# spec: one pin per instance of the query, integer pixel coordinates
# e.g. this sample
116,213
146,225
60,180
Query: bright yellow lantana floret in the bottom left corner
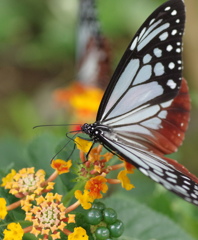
14,231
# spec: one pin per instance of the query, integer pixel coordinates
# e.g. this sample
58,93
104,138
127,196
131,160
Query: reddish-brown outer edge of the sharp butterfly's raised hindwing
172,132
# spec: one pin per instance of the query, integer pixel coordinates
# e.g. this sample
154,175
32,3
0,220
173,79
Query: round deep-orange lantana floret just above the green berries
96,185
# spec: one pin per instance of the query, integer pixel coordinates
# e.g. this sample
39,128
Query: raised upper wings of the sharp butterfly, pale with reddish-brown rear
139,101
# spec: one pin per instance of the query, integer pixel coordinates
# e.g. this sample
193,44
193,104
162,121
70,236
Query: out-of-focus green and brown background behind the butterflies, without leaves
37,55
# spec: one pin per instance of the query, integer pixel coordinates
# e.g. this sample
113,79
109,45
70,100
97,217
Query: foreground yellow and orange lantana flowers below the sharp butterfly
45,211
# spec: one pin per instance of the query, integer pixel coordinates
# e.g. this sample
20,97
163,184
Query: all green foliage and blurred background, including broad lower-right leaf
37,55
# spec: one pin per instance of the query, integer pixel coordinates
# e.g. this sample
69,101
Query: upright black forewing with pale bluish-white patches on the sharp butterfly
150,69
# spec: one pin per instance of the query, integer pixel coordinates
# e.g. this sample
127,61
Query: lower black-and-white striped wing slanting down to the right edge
172,175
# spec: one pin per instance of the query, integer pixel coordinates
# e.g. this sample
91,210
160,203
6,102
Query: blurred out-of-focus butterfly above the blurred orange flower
93,53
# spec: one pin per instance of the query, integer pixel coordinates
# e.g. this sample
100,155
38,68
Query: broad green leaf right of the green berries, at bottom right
142,223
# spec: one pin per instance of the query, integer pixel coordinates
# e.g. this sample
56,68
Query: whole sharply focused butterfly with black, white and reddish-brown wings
144,112
